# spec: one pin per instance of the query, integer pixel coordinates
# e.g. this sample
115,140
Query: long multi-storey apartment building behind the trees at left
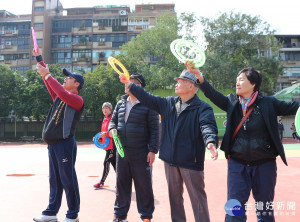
76,38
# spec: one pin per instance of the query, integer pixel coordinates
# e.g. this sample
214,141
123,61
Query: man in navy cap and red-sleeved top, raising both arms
58,133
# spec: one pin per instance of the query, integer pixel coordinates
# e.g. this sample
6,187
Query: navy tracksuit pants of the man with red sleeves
62,176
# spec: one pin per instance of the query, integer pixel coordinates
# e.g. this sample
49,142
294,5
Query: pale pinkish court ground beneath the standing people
21,198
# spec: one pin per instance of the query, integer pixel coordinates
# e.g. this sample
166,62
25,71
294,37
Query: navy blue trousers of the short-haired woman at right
261,179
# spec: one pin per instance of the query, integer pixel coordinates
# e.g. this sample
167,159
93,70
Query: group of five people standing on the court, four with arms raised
251,143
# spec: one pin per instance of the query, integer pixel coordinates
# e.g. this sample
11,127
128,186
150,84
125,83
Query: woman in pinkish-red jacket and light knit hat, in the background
110,157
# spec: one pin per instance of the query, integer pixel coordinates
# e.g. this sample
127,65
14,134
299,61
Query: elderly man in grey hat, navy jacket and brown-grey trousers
188,126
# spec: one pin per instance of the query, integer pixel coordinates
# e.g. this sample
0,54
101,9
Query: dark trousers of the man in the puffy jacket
134,167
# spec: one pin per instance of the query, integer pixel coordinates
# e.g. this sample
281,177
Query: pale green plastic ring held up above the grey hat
185,50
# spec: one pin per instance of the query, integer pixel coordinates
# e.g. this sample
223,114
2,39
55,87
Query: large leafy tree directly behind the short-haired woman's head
236,41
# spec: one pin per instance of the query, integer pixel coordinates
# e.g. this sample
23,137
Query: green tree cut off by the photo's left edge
7,93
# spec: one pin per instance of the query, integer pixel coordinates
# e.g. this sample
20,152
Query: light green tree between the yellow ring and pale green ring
152,47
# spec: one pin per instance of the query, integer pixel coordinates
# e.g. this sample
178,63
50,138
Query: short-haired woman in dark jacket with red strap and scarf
251,151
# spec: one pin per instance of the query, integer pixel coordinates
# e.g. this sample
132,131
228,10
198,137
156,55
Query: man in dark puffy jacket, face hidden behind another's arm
137,127
